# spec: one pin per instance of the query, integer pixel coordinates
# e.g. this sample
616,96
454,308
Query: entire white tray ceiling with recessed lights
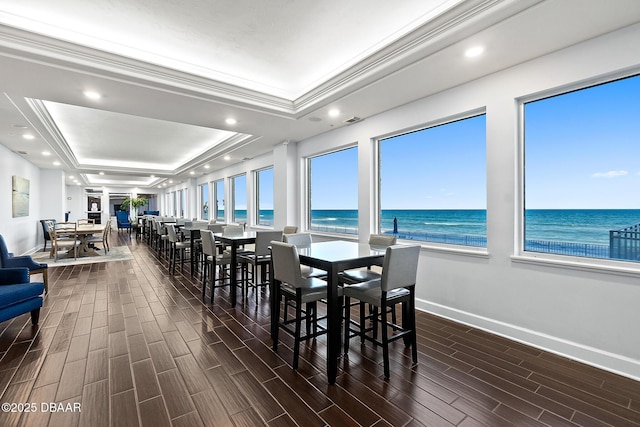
171,72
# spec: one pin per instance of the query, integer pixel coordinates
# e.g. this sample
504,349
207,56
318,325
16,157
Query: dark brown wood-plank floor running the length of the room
134,346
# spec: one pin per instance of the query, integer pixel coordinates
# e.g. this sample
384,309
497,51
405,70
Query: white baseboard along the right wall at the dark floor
612,362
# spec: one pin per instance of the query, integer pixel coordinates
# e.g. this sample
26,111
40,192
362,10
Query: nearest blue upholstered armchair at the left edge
18,295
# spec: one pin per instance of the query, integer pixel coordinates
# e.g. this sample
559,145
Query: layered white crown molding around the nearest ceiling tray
449,27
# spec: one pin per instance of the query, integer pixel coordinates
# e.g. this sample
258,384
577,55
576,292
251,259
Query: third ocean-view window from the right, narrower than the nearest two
333,195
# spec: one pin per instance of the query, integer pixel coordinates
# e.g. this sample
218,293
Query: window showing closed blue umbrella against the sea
433,183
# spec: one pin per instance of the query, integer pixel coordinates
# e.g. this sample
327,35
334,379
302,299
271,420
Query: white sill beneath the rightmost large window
581,264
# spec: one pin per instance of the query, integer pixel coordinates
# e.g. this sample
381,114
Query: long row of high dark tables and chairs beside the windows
302,283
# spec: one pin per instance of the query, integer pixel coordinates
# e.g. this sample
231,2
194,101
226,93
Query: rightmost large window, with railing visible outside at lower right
581,172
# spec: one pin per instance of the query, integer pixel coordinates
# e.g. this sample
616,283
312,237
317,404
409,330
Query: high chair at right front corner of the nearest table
395,286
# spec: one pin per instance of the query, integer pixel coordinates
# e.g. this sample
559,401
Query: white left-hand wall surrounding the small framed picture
21,234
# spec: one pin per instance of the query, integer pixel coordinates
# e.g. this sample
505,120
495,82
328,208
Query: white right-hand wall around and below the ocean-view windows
589,313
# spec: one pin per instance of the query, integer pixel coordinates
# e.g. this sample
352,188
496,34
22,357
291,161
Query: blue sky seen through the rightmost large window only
582,149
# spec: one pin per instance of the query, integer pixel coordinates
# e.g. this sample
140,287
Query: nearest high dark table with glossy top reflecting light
333,257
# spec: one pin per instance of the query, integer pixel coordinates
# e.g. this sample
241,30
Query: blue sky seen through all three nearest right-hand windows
582,151
